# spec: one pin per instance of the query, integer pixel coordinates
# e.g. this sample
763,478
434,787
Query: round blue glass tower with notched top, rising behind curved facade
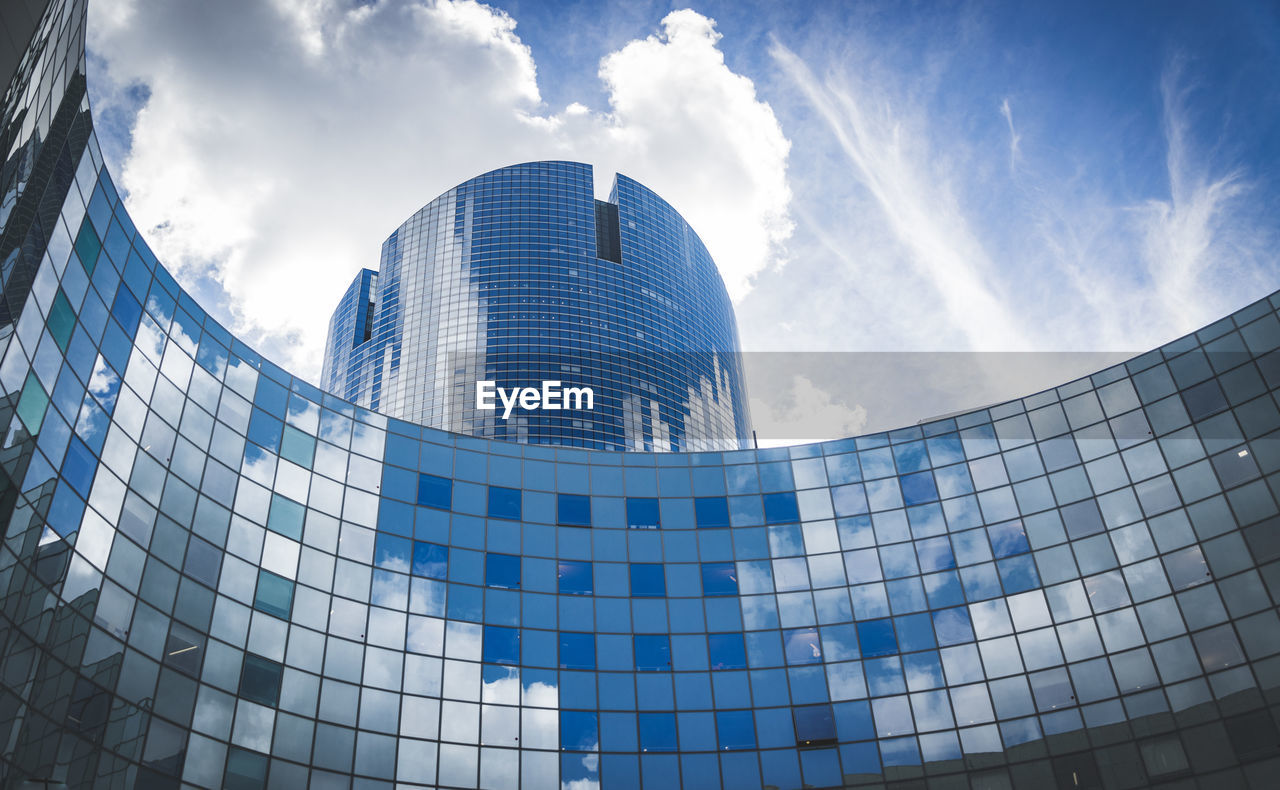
522,277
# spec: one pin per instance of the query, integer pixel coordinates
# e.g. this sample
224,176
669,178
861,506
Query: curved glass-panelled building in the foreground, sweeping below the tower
216,576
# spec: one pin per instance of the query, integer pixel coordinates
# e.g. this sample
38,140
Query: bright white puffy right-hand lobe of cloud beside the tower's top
700,131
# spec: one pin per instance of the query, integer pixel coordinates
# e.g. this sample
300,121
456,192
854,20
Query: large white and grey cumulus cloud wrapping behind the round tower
277,145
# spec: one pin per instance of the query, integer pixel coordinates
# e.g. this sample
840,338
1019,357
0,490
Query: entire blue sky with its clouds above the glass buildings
871,176
